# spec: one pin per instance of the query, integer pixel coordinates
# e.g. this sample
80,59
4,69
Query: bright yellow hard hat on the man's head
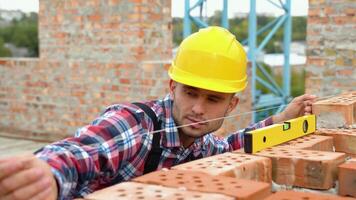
211,59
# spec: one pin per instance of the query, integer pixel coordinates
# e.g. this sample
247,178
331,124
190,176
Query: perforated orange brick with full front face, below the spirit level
304,168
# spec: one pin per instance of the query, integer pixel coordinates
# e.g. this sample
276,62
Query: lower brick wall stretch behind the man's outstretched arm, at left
49,99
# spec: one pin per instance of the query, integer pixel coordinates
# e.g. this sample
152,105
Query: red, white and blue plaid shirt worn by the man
115,146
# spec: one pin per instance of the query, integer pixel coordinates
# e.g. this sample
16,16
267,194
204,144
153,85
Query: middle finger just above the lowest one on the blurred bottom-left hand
19,180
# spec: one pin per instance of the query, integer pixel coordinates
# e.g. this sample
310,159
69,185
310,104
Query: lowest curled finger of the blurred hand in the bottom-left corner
37,190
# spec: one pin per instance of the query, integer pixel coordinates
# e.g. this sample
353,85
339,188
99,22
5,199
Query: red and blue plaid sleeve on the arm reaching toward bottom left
92,158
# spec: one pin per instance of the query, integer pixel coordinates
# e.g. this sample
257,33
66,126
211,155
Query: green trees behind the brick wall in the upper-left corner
22,33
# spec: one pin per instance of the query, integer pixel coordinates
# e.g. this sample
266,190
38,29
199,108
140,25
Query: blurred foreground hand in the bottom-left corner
26,177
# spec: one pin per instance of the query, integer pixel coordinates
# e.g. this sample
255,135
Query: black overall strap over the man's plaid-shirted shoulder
154,155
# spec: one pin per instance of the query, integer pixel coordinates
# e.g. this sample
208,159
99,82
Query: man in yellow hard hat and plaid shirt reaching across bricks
128,140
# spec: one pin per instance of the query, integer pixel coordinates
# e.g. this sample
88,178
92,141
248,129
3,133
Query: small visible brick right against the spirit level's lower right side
311,142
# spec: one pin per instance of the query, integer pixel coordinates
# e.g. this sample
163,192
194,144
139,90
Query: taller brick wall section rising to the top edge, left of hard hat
109,31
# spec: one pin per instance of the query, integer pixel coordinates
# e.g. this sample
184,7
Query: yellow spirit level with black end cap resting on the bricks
269,136
